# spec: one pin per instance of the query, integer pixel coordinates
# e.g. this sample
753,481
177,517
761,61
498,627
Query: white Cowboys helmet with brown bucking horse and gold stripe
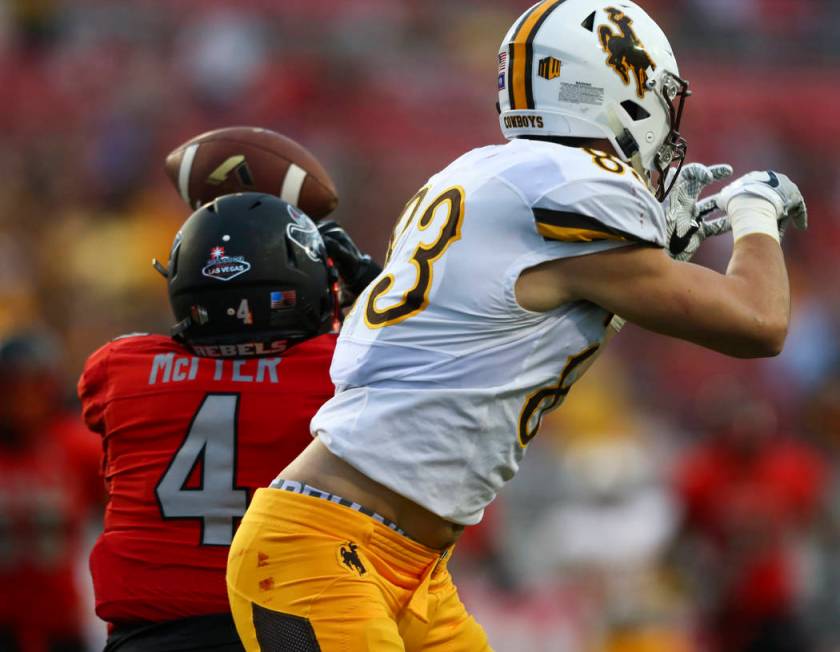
595,69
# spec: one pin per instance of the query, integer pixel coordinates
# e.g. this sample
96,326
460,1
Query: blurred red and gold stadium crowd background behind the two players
680,501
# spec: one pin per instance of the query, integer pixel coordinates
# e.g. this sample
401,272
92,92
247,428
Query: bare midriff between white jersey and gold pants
318,467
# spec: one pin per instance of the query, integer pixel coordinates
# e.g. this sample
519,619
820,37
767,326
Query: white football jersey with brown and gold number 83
441,376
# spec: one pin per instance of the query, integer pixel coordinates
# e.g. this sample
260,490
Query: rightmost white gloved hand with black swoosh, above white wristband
776,188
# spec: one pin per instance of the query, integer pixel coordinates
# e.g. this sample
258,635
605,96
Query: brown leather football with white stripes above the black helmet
250,159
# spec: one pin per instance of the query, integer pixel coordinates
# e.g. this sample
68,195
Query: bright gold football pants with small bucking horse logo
306,574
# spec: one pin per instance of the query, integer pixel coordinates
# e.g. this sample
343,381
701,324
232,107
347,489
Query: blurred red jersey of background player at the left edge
48,492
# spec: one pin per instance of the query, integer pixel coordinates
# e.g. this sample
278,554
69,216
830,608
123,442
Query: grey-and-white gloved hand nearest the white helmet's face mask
684,221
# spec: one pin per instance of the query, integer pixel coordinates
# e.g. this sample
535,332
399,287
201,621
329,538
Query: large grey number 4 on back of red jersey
210,442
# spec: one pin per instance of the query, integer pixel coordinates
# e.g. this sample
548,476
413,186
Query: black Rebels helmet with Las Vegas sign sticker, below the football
248,275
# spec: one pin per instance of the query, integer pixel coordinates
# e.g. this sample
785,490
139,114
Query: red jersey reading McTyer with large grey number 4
187,441
